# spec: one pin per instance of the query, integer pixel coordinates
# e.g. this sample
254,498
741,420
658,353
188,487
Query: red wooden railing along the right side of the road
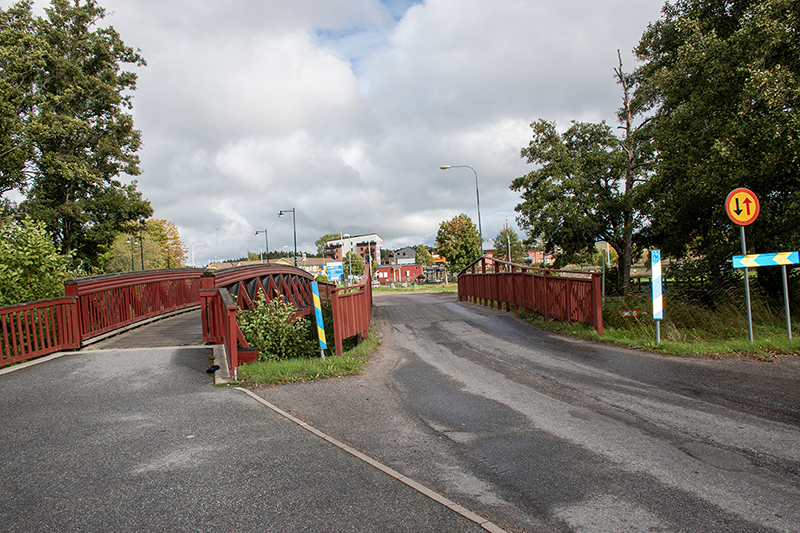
567,295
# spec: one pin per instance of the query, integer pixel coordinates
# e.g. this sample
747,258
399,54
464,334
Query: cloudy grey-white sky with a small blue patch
345,109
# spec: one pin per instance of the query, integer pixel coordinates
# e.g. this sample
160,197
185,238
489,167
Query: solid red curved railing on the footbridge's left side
113,301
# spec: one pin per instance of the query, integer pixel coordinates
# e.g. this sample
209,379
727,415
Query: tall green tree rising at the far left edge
71,131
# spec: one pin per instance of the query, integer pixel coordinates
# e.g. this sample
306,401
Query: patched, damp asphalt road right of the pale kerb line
541,433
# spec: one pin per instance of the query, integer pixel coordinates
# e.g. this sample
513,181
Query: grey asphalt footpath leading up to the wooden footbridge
140,440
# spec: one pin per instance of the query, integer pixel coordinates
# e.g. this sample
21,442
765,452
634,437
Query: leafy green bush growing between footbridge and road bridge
275,331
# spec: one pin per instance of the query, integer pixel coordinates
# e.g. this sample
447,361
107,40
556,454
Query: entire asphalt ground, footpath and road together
531,431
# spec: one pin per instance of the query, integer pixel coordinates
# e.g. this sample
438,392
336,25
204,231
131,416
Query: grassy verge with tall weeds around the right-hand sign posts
690,328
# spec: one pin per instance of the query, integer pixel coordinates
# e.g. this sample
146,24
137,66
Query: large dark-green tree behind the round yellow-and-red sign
722,79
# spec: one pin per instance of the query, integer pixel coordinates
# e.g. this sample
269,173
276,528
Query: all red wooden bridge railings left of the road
98,306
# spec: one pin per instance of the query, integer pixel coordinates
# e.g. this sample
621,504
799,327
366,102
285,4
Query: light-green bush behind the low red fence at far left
30,266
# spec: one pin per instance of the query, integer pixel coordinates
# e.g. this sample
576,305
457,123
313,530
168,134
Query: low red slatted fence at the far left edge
38,328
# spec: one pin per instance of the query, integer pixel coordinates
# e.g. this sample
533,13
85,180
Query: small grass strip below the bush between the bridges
303,369
